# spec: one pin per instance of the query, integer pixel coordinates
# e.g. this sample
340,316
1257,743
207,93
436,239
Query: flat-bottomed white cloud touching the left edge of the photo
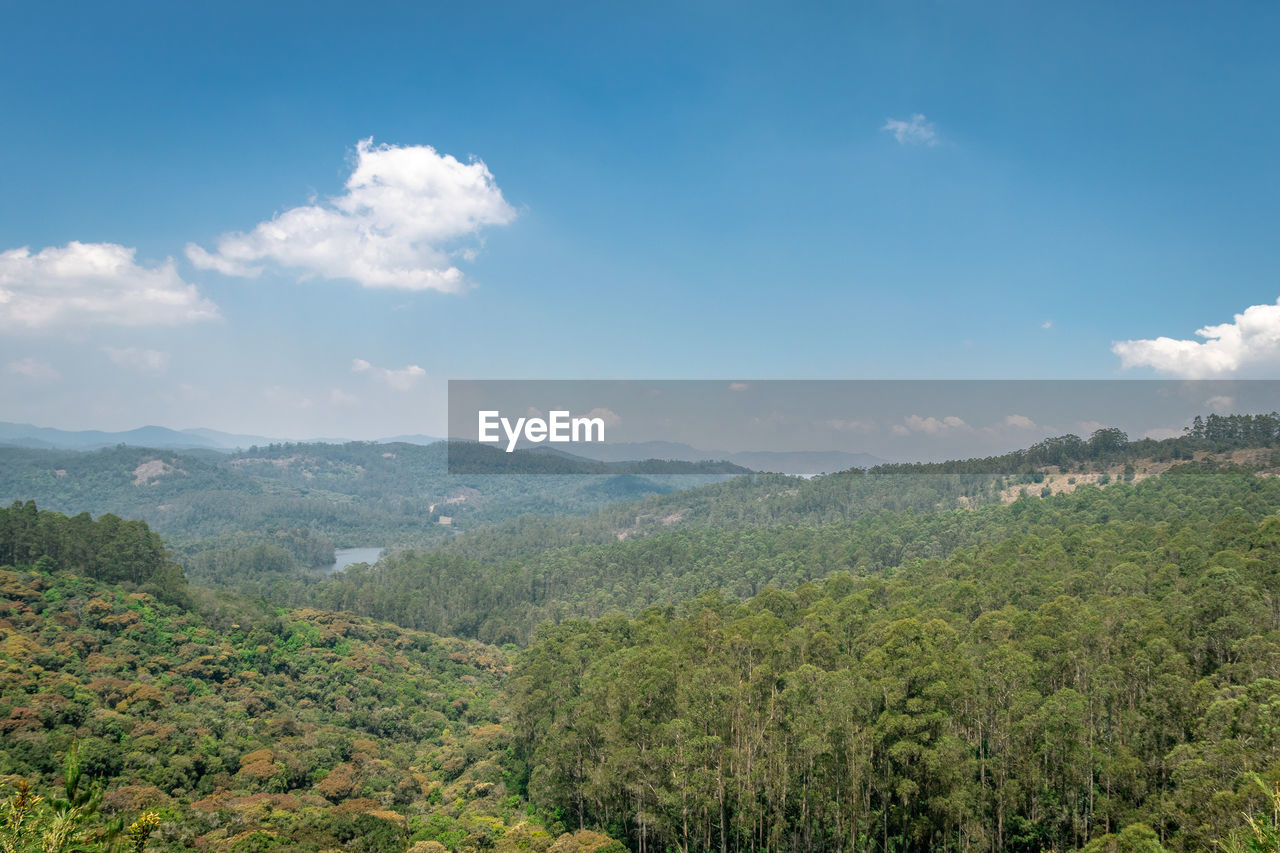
93,285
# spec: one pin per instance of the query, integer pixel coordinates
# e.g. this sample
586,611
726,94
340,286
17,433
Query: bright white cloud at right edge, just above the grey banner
1251,339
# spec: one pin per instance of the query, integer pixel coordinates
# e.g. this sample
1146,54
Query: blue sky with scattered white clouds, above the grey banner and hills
304,220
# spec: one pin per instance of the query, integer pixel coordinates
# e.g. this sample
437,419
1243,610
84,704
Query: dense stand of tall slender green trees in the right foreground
1114,659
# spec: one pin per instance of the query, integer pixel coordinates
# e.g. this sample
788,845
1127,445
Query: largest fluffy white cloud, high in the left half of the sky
399,225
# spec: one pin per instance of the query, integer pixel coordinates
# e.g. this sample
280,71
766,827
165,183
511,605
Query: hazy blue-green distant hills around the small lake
281,510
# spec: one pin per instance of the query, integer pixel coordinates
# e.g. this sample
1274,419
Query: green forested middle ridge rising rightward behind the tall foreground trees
502,599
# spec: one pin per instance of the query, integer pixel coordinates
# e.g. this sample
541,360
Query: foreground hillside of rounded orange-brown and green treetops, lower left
240,728
